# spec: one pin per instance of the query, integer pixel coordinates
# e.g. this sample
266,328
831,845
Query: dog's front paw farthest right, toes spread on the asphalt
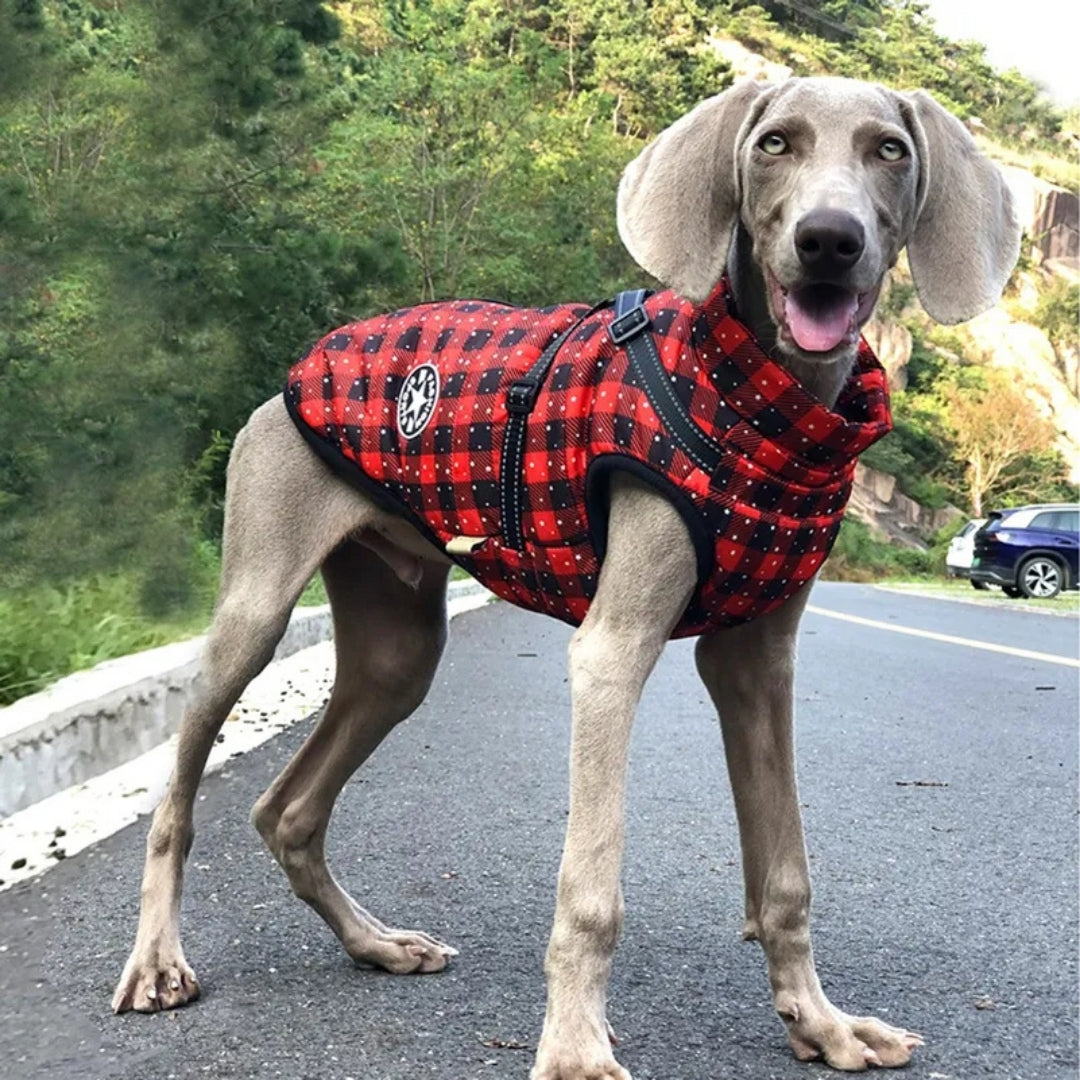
852,1044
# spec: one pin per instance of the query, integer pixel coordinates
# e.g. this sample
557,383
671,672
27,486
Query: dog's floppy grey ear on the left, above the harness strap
679,199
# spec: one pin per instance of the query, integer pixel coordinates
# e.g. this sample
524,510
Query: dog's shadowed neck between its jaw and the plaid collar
825,380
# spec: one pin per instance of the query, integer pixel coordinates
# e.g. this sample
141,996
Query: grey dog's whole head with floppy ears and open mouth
830,179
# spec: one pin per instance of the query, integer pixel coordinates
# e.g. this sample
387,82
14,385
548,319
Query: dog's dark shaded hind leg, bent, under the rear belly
388,639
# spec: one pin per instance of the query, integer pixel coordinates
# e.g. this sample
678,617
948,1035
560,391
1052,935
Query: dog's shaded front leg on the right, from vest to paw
750,674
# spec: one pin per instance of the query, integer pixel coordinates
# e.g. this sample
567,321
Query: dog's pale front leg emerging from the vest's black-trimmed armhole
647,579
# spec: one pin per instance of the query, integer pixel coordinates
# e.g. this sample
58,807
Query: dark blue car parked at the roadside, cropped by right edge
1030,551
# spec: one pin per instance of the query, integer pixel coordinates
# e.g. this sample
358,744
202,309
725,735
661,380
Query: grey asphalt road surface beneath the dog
948,906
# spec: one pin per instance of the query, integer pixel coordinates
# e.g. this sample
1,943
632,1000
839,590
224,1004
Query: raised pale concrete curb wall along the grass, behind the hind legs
94,721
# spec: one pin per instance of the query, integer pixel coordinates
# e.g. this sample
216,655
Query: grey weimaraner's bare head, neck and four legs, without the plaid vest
781,187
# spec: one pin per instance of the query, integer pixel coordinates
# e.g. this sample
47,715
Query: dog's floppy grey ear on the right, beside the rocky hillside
966,238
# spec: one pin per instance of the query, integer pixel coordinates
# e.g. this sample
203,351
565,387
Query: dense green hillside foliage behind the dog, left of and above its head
191,193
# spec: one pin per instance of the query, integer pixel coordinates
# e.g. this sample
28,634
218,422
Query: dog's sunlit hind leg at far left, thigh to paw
285,514
